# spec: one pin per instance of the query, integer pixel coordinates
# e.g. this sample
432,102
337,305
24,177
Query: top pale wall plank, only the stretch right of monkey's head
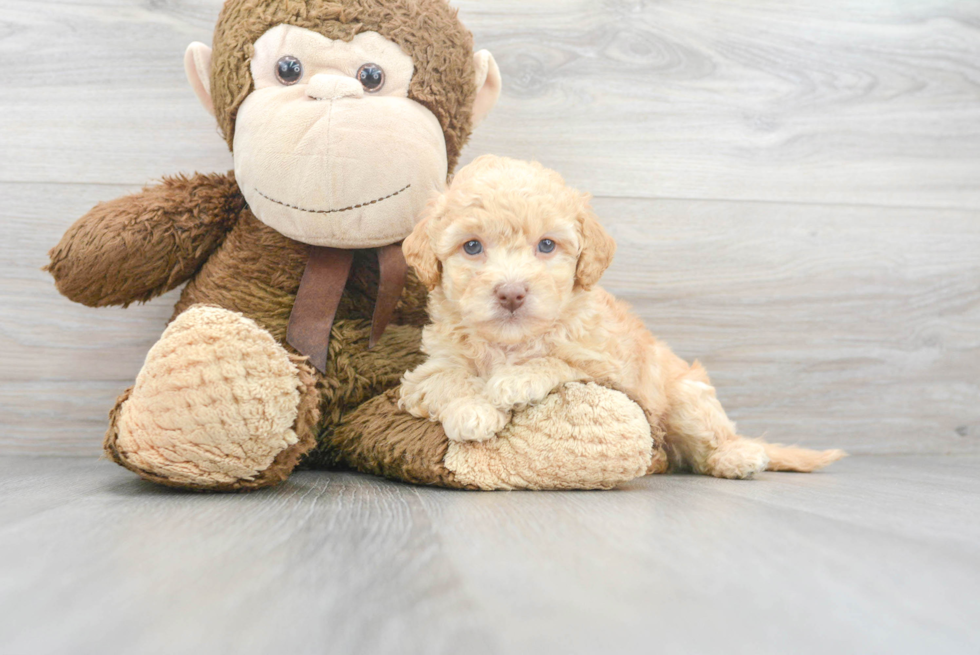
846,101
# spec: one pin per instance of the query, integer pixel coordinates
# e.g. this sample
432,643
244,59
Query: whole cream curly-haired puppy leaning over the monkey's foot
511,257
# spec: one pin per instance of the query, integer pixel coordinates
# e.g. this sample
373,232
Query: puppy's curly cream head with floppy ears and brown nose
506,246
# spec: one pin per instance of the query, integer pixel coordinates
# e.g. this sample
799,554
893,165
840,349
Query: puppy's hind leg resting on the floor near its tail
701,436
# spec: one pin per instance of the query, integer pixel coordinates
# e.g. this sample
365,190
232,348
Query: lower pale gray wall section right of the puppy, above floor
820,325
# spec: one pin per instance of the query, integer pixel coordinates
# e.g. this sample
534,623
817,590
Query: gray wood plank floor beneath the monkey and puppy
876,555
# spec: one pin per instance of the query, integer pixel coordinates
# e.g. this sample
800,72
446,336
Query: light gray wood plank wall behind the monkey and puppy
794,186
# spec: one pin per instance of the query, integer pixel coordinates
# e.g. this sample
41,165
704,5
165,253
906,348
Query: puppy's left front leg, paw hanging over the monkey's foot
453,396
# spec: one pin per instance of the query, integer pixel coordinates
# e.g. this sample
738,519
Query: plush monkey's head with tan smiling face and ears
343,116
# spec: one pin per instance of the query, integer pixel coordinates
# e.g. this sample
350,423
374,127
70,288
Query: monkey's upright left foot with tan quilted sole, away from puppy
219,405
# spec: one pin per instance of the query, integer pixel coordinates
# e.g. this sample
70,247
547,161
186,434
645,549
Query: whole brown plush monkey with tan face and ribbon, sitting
343,118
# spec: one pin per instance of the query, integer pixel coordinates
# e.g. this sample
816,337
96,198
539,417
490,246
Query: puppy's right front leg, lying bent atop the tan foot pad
515,386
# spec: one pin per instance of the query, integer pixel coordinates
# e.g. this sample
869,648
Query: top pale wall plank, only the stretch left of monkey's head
99,93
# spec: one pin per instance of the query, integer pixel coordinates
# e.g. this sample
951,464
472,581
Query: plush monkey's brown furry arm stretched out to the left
140,246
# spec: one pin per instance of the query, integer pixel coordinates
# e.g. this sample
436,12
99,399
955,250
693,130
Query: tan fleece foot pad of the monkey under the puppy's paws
582,436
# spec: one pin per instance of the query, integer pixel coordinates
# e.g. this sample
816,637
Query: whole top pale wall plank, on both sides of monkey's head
847,101
